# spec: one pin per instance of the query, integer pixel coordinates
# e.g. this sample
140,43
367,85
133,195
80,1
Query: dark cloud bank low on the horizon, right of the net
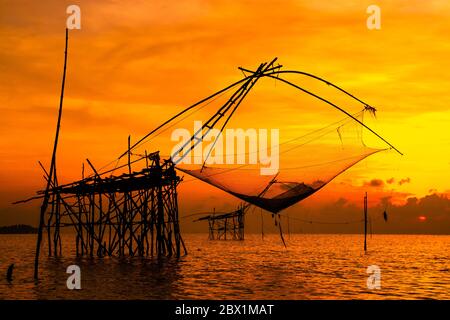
344,216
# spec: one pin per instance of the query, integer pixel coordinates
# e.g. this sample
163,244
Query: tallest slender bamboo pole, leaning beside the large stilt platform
52,165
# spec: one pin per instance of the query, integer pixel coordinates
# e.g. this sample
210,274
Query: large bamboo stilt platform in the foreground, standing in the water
133,214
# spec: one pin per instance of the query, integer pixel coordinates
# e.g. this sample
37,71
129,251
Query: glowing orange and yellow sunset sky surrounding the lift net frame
133,65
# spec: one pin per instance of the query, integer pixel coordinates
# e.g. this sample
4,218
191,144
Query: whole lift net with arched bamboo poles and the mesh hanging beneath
286,145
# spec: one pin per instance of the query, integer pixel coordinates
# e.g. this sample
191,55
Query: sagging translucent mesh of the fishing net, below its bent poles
306,164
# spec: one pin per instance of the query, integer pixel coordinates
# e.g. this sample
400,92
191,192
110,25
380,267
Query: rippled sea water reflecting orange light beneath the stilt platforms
311,267
